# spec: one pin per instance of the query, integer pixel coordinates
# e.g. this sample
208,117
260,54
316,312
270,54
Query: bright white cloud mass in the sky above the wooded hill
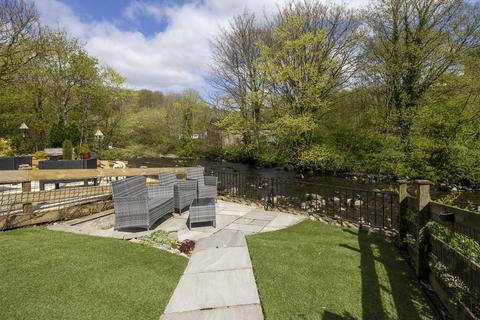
170,60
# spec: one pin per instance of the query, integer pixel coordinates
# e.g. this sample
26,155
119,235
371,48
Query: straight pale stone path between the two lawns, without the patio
218,282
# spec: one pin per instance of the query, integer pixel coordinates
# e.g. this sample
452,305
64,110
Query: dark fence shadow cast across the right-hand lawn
375,251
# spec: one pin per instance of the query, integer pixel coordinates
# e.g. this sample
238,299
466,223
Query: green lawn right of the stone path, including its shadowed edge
318,271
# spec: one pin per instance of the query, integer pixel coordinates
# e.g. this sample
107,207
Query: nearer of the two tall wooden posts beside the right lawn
423,215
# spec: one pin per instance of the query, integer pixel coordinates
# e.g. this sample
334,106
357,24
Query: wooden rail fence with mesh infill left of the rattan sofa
29,206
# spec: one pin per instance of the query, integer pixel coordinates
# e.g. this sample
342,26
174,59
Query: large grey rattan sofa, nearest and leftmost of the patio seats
137,206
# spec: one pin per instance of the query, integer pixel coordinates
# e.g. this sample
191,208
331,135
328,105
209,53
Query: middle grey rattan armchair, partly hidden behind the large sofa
184,190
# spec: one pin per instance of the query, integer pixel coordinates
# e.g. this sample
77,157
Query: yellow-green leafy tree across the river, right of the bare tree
296,83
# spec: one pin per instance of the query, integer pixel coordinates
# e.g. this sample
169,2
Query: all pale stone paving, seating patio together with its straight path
218,282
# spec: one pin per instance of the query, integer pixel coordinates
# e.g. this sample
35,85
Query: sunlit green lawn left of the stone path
55,275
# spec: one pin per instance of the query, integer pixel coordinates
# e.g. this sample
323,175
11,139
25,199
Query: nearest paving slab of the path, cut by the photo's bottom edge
247,312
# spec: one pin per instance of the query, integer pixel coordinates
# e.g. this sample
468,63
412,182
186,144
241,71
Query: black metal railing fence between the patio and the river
374,208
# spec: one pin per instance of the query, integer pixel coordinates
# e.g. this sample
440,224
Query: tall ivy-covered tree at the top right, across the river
411,45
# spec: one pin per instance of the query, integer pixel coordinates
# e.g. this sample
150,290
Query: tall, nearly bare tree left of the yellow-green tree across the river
236,75
